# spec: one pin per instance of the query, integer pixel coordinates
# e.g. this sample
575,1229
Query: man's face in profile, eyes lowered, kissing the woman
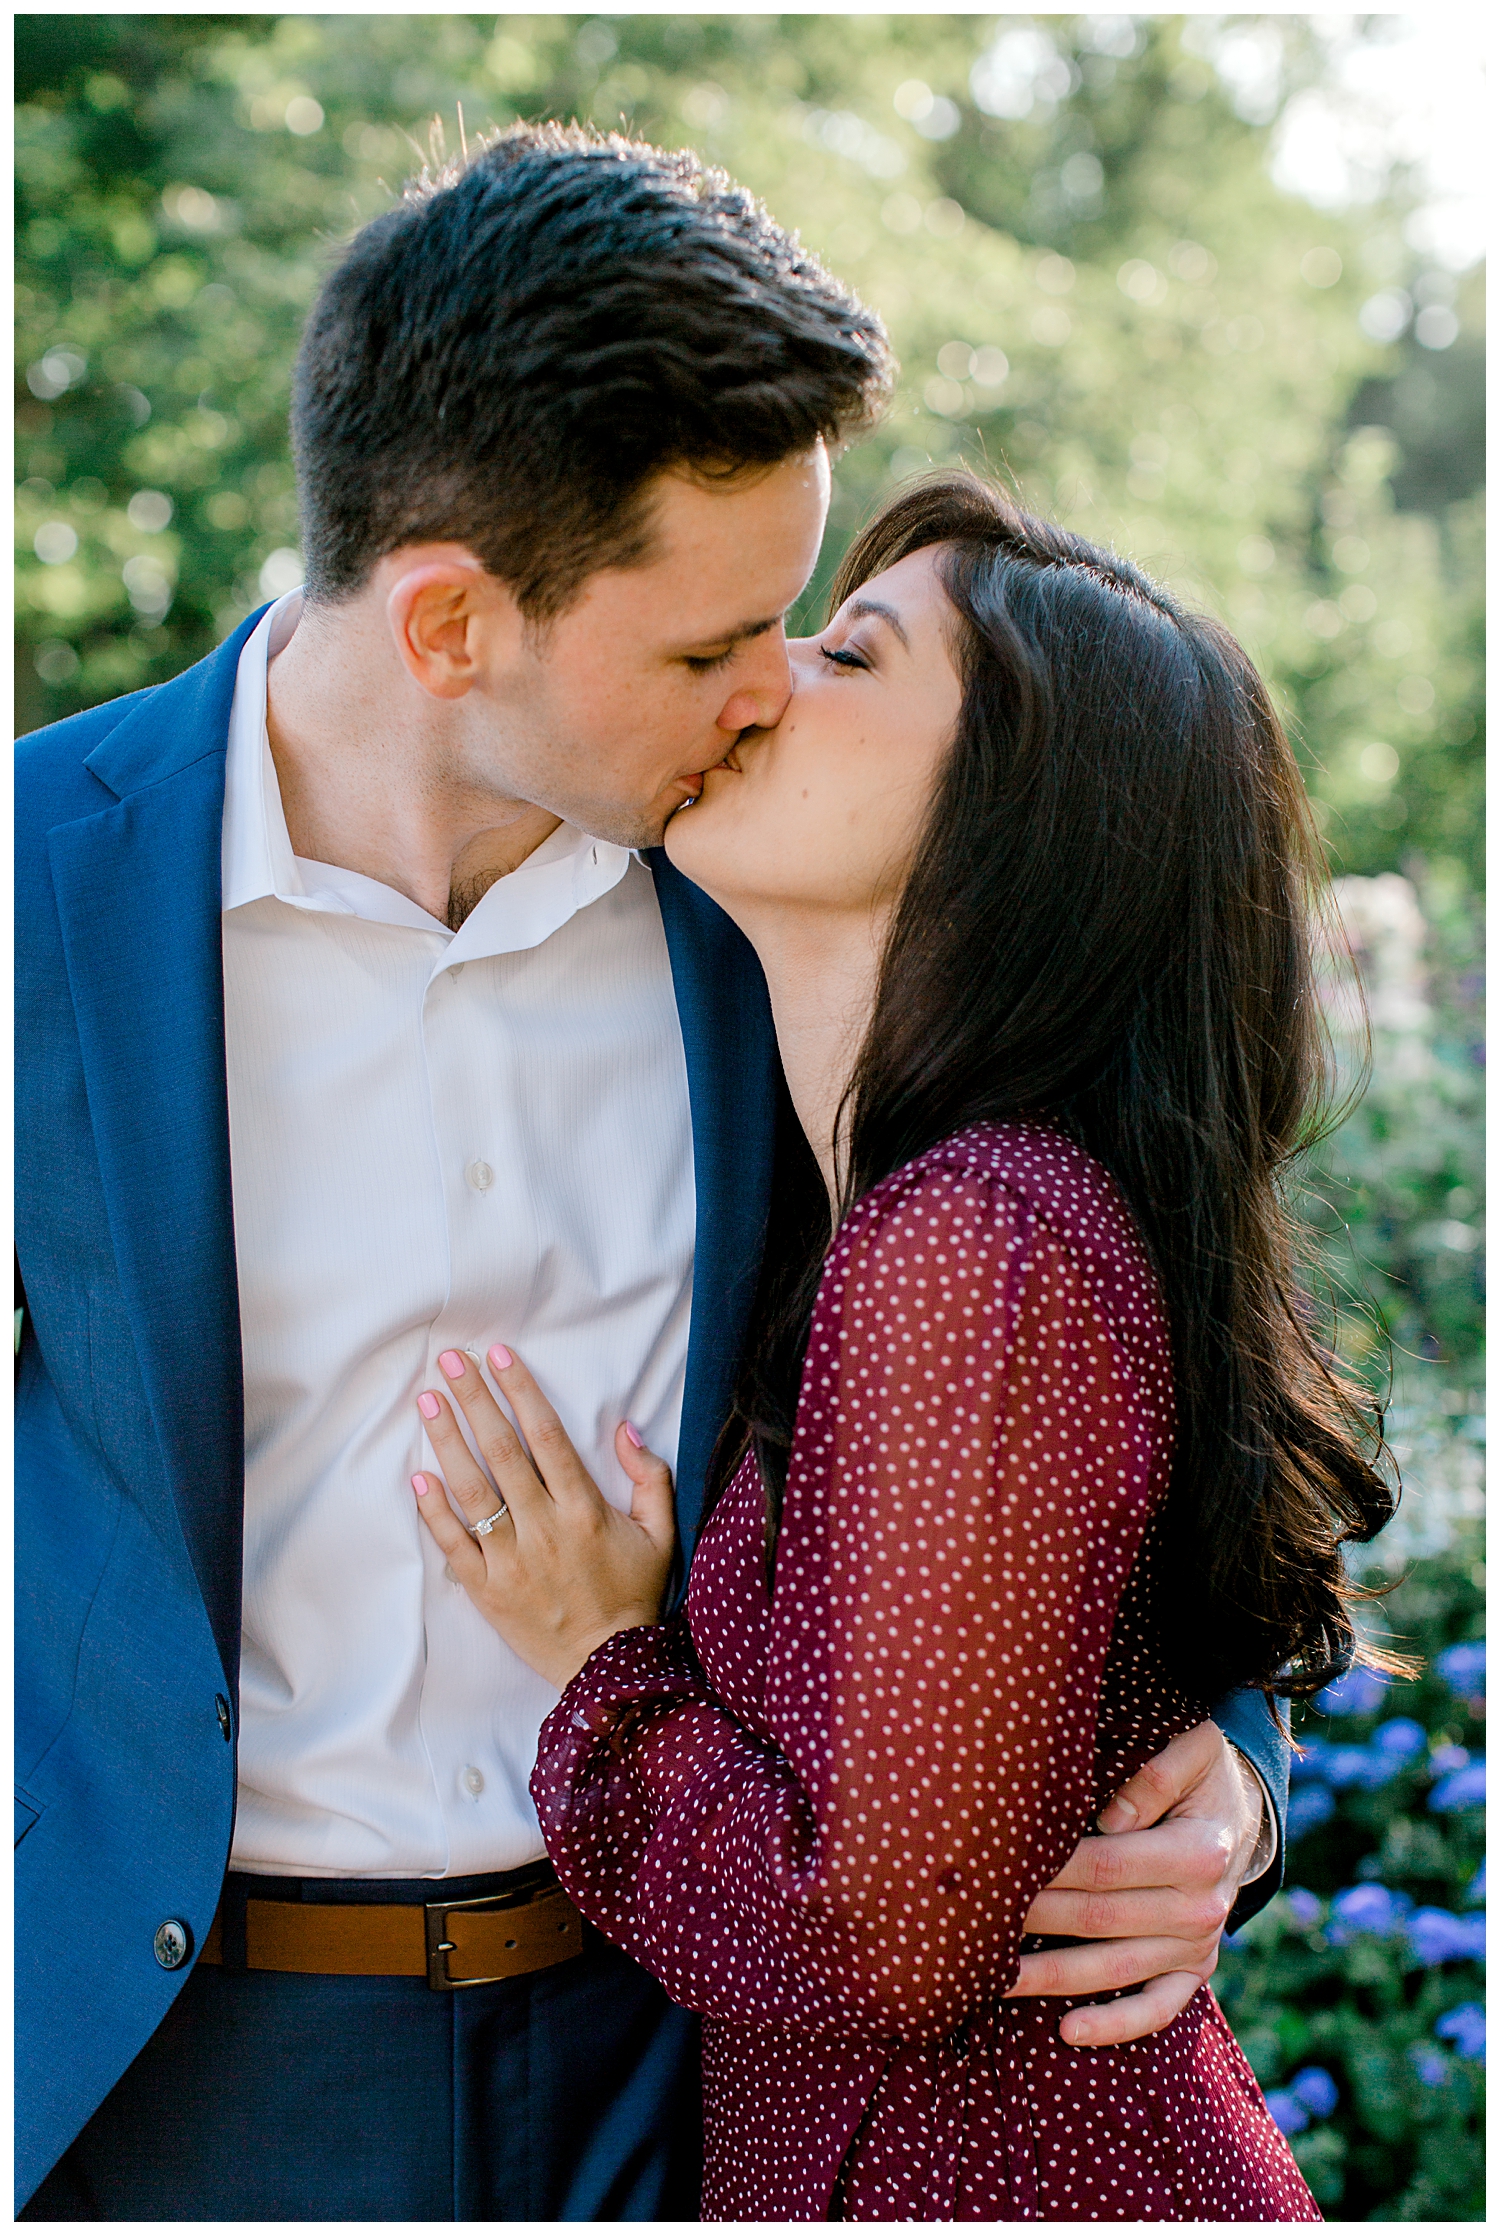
611,714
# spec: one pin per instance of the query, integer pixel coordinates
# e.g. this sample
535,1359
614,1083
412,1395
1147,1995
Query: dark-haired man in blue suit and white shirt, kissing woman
359,1032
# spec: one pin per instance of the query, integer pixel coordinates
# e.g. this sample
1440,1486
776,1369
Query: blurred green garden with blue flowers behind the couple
1195,292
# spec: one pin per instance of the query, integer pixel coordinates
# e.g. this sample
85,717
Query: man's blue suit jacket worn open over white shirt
131,1410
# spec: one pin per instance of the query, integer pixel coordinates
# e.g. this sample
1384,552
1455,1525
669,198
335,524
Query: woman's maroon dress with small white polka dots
822,1817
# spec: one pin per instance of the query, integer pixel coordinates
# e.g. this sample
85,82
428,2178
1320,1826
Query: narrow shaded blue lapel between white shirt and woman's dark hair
730,1045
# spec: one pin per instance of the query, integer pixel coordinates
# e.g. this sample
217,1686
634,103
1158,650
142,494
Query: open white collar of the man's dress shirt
520,911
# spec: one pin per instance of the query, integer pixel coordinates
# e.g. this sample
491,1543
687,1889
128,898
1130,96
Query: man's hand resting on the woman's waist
1155,1895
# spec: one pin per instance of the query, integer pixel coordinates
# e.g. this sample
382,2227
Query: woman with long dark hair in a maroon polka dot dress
1038,1437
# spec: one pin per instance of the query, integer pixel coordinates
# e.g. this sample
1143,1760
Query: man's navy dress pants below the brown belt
274,2096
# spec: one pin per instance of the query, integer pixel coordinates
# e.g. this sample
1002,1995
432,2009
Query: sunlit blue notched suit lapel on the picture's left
142,931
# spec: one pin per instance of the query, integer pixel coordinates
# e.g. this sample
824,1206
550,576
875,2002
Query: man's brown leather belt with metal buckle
446,1944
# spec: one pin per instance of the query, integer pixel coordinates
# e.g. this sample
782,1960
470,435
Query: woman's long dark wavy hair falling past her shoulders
1108,929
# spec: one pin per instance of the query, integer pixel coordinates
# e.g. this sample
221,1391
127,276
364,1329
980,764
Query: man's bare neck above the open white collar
374,777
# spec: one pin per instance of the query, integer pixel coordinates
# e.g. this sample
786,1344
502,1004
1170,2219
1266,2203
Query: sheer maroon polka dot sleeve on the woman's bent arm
846,1835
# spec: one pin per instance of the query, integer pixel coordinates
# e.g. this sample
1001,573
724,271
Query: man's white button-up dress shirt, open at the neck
437,1139
